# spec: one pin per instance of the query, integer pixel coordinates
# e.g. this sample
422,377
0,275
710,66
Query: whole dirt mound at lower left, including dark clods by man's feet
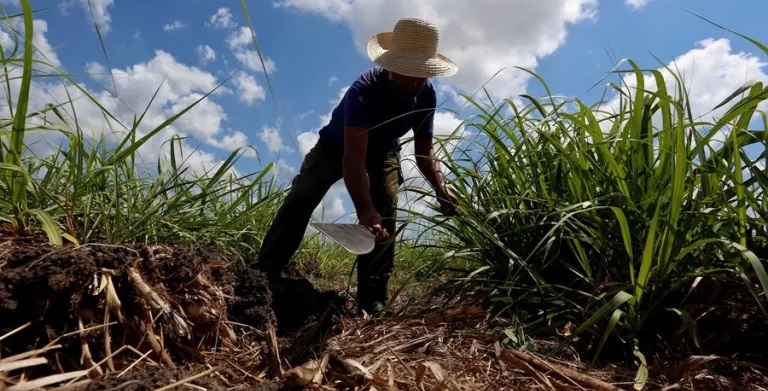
107,305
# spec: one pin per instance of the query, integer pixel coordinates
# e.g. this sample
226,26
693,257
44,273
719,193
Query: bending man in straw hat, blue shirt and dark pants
361,145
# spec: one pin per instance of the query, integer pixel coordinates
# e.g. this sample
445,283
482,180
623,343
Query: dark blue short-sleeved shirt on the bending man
371,103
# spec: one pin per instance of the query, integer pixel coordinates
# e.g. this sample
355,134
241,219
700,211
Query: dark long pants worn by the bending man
322,167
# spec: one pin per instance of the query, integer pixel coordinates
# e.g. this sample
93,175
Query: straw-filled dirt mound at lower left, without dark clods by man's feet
63,290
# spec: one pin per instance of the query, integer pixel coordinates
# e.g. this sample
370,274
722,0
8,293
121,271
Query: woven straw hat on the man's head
410,49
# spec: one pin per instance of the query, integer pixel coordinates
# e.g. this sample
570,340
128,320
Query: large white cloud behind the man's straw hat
482,37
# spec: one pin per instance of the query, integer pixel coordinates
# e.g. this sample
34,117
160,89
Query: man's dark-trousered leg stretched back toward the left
319,171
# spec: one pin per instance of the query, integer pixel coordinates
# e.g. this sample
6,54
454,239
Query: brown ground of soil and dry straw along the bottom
179,316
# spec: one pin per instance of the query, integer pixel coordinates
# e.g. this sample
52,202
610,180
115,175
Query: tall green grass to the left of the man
100,189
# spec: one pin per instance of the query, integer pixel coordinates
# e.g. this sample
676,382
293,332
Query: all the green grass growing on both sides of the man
570,212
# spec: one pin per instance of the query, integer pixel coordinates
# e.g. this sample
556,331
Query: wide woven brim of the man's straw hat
408,64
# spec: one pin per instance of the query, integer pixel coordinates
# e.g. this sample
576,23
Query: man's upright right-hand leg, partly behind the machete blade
374,268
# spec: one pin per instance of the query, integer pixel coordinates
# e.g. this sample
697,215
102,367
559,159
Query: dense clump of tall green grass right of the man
606,216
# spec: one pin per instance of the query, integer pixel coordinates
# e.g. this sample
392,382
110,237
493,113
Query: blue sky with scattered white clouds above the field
187,48
